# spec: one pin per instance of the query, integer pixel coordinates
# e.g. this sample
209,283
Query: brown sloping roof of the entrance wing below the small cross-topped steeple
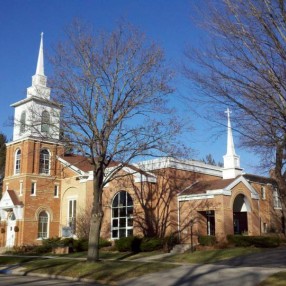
201,187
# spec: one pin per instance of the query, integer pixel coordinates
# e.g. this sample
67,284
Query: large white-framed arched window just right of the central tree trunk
122,215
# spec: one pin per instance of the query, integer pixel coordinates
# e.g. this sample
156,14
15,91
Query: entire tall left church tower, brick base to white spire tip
30,206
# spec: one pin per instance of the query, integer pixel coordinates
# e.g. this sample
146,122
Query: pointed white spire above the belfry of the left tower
39,80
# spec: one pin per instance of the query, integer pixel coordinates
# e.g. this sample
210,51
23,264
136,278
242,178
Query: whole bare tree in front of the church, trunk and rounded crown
114,89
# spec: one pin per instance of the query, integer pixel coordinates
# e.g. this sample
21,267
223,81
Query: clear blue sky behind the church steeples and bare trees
167,22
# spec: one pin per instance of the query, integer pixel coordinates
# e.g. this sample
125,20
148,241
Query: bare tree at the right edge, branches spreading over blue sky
243,66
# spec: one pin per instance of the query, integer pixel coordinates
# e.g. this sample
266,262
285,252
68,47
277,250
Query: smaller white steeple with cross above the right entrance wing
231,168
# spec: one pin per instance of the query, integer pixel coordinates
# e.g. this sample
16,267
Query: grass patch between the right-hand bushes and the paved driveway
211,256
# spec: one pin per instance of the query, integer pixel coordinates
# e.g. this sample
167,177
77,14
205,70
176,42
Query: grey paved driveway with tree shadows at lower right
242,271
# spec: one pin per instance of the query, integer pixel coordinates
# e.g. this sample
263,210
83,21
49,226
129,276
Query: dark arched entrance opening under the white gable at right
240,208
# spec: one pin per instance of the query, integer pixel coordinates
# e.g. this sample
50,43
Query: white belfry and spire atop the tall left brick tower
37,116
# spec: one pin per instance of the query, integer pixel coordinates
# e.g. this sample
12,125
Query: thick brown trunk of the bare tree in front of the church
96,217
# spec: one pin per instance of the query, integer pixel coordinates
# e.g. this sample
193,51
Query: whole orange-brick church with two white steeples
47,192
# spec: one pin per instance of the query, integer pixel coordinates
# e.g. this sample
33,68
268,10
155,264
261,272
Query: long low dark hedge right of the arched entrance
257,241
